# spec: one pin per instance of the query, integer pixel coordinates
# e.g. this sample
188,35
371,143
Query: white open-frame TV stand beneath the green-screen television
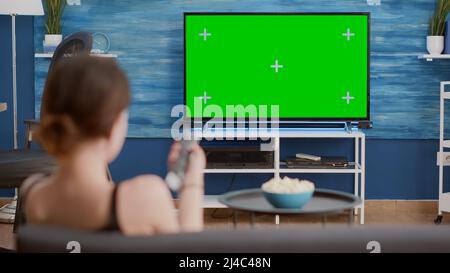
357,169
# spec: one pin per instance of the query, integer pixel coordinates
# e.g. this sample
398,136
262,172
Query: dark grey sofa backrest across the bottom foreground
328,239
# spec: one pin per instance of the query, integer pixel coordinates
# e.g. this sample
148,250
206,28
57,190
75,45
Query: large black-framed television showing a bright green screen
313,66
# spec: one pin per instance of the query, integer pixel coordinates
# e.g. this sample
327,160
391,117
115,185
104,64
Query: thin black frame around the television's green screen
290,119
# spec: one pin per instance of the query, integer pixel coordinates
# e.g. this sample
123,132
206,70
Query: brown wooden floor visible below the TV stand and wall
377,212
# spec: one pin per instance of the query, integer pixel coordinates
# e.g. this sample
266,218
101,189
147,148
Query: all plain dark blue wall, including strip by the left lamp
396,169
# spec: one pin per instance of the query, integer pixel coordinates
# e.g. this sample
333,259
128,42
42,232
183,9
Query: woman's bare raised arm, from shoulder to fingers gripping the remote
146,205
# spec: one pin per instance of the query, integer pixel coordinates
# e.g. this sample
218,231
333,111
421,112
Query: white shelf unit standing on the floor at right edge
444,198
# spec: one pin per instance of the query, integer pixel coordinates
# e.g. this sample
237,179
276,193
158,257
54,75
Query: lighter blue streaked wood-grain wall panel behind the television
148,38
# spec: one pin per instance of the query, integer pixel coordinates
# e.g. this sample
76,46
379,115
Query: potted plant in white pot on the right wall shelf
435,39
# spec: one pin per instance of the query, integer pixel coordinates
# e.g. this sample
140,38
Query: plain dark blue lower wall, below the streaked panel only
396,169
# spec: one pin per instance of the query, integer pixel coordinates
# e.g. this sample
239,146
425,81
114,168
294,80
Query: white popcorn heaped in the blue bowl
287,185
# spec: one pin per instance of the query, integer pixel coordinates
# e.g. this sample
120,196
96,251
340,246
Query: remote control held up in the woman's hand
175,177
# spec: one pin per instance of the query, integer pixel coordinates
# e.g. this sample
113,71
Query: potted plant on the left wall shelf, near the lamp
53,26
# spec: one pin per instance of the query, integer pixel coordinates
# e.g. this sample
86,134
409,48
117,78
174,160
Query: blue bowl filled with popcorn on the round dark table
288,193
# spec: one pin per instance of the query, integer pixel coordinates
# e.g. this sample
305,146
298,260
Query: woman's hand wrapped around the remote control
196,162
